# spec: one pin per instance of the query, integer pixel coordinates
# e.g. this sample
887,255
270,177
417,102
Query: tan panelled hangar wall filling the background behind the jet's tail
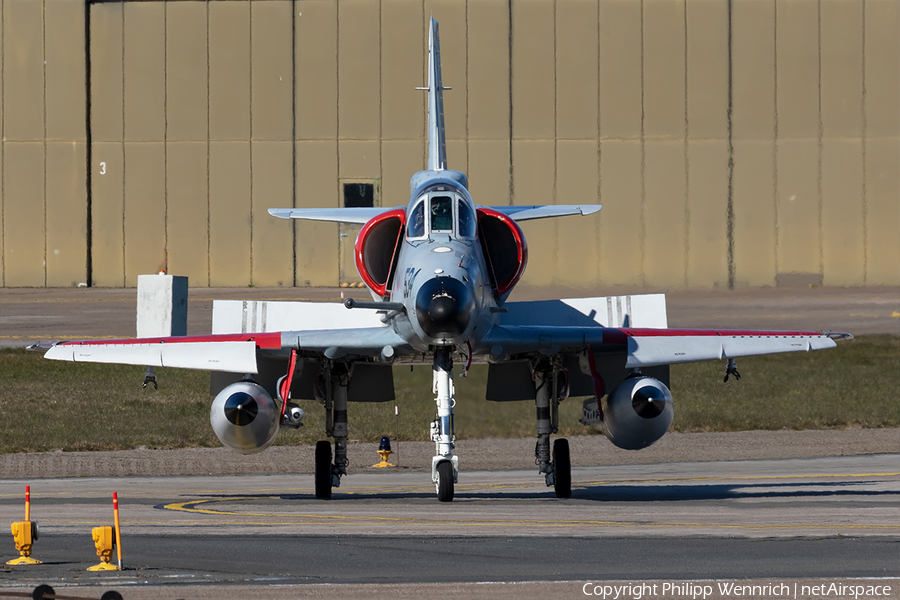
732,143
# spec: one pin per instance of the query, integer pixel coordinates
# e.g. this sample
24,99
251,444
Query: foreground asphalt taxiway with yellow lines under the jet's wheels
832,517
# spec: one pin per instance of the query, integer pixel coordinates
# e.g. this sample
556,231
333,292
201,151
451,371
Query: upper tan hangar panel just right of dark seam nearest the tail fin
533,54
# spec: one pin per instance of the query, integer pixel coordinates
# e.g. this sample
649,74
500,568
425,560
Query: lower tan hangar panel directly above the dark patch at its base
799,208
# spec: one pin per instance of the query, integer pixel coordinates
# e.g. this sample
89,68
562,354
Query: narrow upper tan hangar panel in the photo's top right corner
882,76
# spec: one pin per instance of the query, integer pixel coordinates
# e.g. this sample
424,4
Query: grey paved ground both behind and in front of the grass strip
803,509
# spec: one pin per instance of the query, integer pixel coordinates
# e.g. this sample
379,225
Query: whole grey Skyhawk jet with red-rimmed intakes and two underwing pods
439,271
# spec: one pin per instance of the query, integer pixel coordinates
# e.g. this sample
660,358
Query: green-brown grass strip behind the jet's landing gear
47,405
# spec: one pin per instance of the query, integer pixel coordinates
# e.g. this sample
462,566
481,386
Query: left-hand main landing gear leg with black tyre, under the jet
336,379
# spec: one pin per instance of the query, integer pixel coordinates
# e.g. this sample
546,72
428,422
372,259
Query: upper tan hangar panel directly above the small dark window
359,70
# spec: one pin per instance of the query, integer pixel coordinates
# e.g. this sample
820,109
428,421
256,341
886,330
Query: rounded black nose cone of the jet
444,307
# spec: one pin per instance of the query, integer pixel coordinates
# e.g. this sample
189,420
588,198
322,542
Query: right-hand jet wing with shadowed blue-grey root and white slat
652,347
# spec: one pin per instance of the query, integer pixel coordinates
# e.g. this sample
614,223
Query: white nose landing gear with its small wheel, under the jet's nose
444,465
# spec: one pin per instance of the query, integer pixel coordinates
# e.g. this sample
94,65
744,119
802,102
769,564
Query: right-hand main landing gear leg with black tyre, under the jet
551,383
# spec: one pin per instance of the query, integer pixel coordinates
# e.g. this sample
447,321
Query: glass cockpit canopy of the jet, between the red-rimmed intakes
441,212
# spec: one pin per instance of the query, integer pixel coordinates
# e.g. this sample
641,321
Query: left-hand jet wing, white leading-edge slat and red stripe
236,353
